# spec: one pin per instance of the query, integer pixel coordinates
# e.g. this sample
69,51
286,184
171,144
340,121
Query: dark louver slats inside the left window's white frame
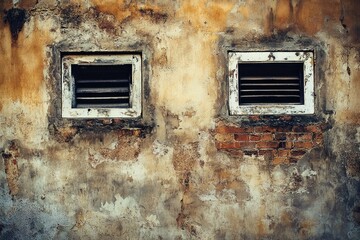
102,86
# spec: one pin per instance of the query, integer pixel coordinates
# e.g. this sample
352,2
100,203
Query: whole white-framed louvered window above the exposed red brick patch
271,83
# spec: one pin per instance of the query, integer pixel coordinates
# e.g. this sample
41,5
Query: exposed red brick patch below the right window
281,145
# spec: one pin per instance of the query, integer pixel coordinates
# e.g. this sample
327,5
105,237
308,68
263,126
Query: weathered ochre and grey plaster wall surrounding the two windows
186,169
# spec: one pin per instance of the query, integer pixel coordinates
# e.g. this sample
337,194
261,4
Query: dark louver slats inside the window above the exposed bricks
271,83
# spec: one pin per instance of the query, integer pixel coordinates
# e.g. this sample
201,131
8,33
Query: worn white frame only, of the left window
68,86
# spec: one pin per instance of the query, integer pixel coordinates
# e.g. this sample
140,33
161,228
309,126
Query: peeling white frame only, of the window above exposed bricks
305,57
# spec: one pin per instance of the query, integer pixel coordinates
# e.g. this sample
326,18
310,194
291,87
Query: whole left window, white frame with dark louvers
101,86
